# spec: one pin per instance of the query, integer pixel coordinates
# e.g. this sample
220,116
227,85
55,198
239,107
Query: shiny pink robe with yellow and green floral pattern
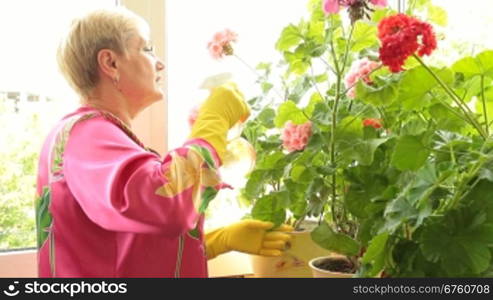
108,207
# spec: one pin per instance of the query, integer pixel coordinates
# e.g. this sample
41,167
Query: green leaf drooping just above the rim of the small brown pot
340,243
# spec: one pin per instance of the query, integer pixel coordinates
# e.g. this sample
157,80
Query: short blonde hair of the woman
100,29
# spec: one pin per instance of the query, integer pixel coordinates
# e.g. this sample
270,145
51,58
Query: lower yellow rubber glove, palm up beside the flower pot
248,236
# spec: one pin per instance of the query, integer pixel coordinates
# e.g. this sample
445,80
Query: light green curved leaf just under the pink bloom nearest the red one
380,96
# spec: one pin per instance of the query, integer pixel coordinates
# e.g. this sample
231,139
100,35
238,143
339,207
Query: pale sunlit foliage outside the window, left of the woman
18,167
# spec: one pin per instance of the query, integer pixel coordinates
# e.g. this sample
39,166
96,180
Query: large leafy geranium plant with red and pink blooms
391,155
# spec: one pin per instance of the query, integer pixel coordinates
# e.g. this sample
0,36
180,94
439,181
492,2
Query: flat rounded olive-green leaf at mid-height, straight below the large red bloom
409,154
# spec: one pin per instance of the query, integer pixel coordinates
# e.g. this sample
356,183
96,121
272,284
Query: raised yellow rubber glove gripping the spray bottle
220,112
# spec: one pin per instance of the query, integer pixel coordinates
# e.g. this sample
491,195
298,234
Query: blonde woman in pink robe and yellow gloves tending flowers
108,206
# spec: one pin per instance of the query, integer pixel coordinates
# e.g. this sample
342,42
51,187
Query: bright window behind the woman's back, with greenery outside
33,96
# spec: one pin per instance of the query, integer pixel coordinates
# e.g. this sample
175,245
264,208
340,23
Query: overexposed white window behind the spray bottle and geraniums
191,24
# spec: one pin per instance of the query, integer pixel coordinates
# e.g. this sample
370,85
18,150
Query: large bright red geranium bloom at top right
401,36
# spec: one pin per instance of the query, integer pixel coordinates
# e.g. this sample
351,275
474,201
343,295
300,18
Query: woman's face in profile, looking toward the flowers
139,70
